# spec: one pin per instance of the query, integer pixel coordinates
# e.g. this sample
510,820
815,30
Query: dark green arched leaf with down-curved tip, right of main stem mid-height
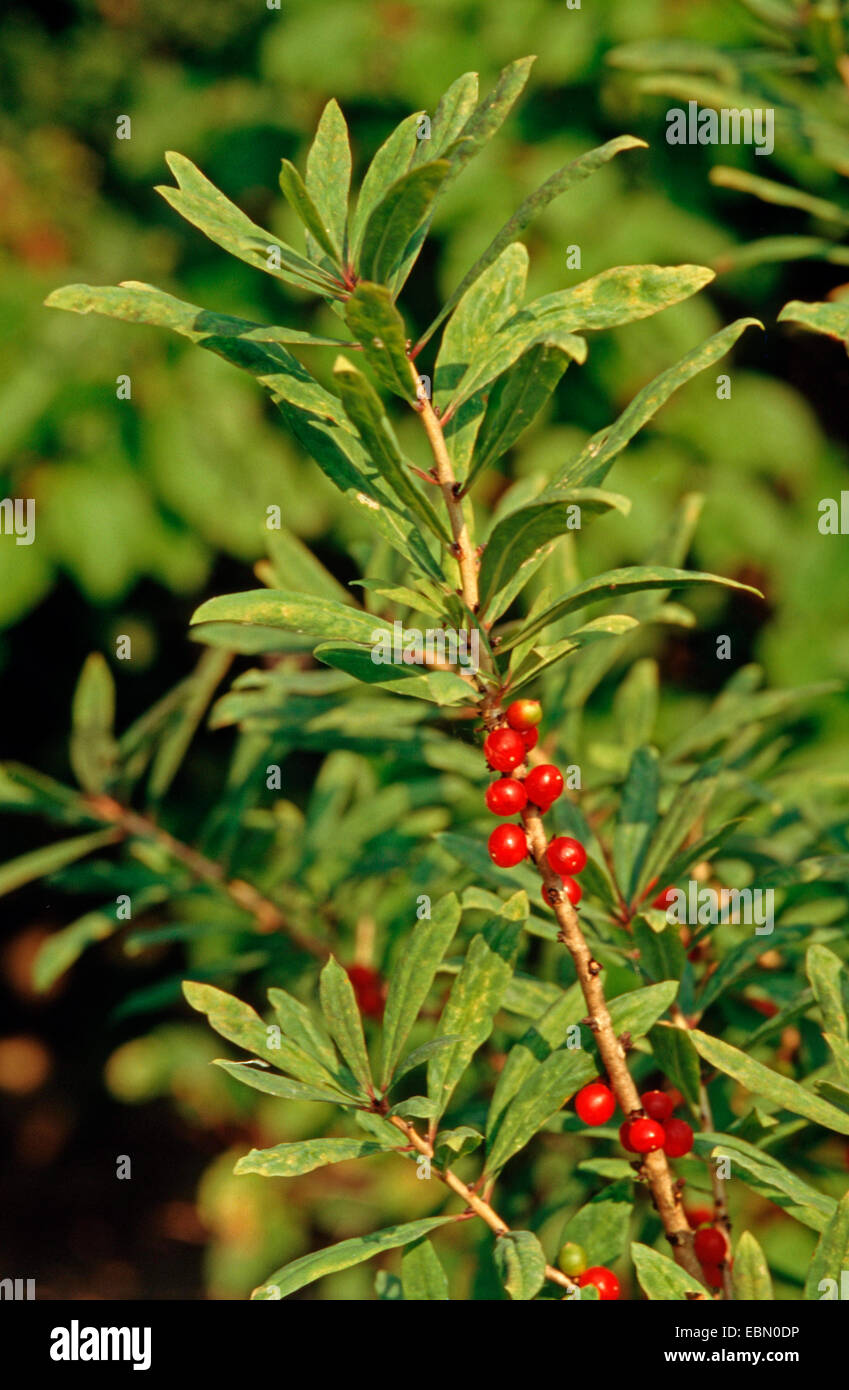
522,536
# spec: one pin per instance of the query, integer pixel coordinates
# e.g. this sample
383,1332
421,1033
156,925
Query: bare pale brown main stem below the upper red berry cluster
665,1195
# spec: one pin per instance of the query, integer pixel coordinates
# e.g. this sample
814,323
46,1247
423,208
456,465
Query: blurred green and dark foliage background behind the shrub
147,508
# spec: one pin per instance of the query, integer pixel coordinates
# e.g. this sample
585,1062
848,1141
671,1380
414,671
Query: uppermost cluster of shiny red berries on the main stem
505,751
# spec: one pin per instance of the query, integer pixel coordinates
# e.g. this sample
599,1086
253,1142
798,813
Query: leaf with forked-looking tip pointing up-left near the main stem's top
208,209
